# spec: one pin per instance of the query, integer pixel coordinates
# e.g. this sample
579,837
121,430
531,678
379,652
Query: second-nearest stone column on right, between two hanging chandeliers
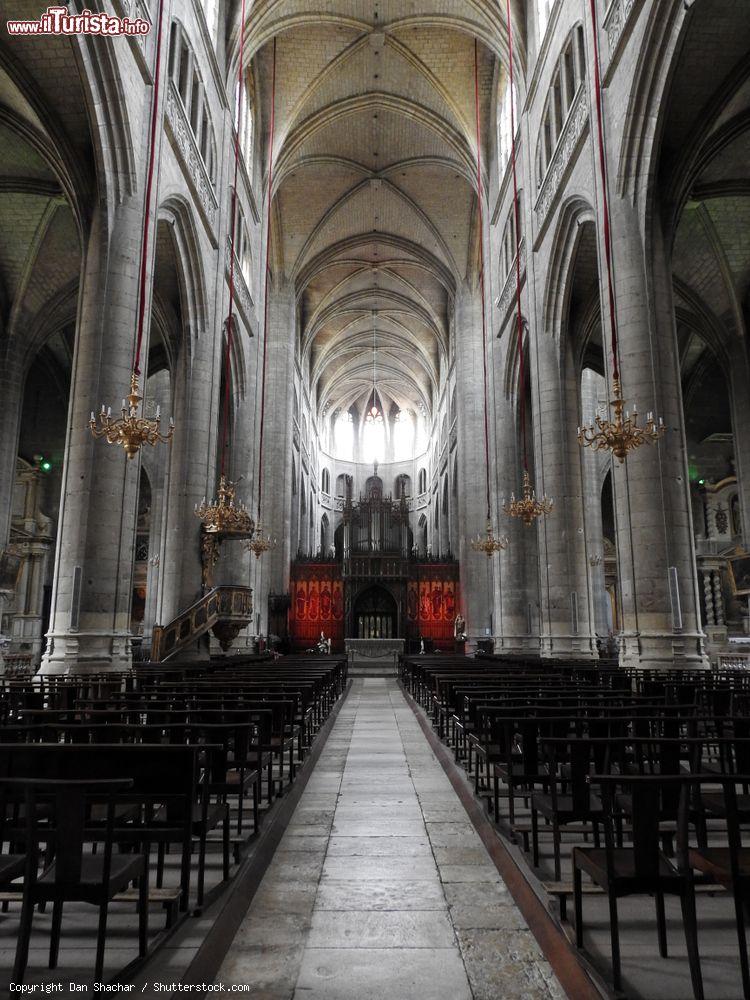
566,628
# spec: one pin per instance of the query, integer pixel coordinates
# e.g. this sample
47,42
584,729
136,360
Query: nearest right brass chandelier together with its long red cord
618,433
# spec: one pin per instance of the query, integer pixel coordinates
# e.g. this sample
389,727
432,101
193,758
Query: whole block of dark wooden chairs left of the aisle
101,778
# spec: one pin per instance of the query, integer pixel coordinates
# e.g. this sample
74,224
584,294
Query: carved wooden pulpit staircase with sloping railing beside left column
225,610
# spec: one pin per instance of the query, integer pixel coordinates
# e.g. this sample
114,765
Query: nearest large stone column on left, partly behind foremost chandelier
92,581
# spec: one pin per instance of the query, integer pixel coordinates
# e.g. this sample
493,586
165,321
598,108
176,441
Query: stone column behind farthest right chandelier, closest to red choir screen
476,571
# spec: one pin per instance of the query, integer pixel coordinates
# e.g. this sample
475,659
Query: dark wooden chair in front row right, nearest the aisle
641,867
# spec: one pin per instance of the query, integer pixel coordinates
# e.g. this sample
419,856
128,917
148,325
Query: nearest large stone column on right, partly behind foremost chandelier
655,545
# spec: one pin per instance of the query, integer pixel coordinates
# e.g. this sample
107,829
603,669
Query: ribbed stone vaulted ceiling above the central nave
375,175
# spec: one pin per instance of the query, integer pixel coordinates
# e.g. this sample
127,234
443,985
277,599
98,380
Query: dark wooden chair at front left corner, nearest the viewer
70,874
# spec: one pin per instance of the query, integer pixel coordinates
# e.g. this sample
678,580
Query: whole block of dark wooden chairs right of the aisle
653,767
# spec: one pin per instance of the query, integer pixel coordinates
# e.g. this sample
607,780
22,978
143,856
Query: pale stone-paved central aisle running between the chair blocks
380,886
